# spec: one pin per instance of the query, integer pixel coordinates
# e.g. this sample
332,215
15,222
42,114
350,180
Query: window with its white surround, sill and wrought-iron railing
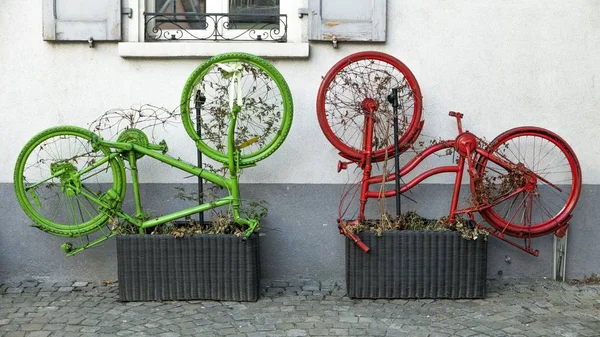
204,28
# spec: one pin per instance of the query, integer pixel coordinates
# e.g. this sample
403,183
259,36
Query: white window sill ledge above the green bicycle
208,49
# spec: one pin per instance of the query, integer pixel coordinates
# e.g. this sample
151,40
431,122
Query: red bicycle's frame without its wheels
468,150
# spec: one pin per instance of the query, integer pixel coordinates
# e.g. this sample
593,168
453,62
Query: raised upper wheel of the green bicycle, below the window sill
212,145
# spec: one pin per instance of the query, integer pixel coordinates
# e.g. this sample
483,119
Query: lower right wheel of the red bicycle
545,165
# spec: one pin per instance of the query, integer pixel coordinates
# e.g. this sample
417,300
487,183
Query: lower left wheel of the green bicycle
53,190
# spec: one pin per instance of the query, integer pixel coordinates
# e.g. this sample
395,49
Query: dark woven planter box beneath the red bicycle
412,264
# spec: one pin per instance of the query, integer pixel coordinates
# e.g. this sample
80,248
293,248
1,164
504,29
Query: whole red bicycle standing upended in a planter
525,183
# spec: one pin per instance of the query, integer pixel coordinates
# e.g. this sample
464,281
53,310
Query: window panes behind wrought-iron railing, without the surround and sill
231,20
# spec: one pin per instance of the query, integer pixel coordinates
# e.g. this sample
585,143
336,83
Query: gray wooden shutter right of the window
359,20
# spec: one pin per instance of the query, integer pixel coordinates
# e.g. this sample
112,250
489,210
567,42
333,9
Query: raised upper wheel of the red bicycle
368,76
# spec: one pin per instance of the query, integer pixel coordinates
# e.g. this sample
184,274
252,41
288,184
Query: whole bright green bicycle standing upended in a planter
72,183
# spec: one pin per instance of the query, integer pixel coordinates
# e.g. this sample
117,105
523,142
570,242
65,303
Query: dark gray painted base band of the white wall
299,238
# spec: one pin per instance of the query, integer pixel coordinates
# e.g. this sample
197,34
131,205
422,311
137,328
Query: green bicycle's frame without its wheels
157,151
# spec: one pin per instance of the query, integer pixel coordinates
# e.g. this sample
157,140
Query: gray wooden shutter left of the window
79,20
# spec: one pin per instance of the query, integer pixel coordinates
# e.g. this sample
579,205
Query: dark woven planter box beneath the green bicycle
203,266
